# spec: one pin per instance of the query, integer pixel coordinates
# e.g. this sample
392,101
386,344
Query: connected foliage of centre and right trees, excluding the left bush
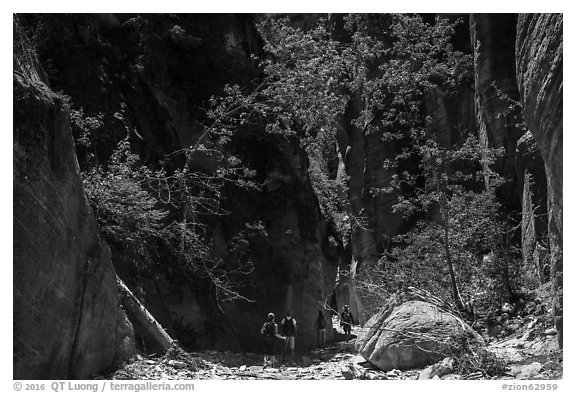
390,62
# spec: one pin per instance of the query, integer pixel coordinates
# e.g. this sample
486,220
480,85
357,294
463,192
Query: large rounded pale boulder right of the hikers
413,334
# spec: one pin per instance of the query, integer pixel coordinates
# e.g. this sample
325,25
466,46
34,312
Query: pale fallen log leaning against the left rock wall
137,312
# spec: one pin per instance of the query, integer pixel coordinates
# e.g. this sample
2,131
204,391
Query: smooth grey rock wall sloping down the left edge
67,319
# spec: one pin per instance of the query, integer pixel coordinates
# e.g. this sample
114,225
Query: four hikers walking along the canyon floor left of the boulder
288,327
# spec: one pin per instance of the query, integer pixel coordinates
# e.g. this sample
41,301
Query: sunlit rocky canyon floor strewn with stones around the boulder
524,343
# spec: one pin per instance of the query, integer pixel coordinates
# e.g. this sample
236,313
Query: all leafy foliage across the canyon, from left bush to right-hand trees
310,77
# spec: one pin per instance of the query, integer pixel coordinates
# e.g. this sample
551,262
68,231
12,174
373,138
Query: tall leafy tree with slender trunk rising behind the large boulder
396,66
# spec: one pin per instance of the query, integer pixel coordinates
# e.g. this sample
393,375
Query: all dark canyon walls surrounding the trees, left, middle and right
150,78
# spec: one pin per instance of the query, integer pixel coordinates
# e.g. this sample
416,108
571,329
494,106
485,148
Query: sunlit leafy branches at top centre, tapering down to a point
300,98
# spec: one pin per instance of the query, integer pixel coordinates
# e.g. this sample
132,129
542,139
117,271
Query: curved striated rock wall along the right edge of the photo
539,62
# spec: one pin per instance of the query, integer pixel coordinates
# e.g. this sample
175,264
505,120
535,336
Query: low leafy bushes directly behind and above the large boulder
417,258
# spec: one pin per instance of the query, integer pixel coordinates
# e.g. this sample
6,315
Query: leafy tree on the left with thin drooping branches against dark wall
135,209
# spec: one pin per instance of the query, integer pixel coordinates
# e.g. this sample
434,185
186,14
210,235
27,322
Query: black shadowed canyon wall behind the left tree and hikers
151,77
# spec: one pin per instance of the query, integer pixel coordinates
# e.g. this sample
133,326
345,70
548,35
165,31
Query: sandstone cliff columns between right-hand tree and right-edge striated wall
500,120
